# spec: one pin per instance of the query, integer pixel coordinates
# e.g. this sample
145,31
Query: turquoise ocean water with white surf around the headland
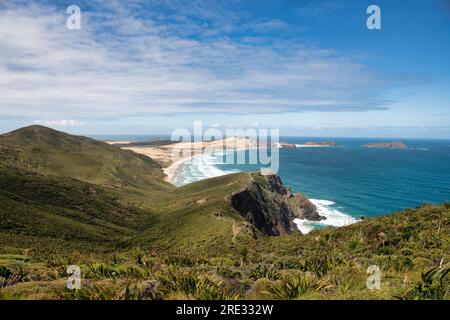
350,181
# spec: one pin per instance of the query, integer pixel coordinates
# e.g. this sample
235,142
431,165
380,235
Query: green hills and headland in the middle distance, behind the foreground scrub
60,180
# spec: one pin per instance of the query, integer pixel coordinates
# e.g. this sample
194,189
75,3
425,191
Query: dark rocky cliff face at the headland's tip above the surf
271,207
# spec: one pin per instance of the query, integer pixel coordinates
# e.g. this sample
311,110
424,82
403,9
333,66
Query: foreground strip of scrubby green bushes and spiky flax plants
408,247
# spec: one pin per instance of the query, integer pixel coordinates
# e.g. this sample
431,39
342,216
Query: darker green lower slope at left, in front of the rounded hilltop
50,207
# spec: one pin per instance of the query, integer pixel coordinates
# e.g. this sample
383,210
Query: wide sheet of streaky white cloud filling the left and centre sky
121,64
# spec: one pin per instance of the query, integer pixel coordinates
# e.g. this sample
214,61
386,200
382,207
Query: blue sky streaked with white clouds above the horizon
149,67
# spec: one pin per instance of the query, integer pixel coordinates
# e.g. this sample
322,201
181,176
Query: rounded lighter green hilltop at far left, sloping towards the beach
47,151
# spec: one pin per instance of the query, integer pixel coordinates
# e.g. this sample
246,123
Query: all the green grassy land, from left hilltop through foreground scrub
72,200
